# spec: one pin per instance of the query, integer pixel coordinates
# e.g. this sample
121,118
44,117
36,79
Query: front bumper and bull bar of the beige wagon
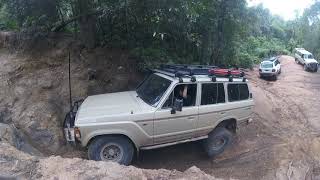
69,123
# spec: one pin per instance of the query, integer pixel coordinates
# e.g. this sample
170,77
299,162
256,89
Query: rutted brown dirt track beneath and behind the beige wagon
283,141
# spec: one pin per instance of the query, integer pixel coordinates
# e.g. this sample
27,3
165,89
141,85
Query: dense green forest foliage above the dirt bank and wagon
224,33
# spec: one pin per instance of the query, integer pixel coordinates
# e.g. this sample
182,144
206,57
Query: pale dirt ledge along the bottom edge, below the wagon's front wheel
16,164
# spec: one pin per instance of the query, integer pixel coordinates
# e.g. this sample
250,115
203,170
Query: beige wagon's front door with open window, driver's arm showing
170,127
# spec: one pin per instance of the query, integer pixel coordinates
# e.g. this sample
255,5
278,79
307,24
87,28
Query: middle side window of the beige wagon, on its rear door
212,93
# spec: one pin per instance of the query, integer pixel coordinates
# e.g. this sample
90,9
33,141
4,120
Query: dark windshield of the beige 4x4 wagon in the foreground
153,88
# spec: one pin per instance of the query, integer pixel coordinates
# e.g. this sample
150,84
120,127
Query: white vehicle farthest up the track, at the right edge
306,58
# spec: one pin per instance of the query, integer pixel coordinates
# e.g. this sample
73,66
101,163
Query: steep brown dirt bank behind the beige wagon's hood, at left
34,83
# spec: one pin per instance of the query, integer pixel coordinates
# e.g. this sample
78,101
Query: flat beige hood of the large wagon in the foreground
100,106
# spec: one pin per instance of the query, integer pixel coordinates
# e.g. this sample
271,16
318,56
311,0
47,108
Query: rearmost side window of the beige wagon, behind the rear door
238,92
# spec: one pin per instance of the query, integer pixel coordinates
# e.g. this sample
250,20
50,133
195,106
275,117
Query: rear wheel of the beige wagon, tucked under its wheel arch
218,140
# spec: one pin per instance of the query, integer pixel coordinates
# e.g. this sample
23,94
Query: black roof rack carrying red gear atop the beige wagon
191,71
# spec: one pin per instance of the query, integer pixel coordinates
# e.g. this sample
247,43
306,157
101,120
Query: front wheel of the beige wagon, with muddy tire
99,149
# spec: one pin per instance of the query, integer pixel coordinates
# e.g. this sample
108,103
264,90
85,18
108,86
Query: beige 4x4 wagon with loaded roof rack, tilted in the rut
171,106
